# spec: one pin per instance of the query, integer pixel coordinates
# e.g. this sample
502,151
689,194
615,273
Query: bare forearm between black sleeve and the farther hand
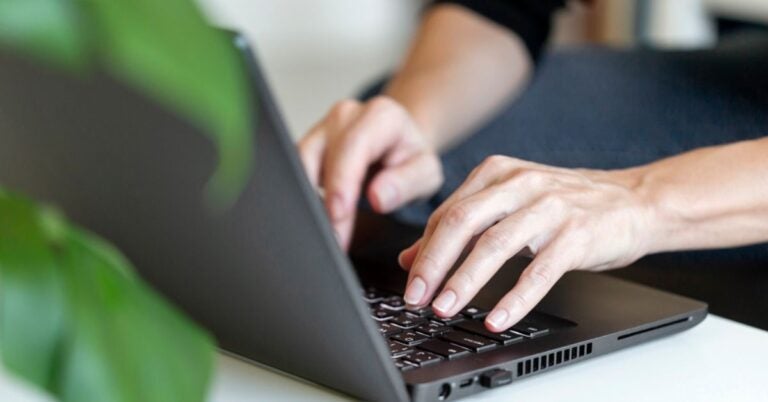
460,70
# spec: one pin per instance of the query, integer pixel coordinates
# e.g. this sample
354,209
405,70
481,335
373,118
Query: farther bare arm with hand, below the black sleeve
460,69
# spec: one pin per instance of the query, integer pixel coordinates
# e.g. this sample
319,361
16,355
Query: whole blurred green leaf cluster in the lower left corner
75,320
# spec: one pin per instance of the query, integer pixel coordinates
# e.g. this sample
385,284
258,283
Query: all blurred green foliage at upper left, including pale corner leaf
164,49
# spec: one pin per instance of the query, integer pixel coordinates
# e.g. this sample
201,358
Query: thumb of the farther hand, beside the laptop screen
396,185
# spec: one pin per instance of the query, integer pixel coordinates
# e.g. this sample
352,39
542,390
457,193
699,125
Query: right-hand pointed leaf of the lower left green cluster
127,344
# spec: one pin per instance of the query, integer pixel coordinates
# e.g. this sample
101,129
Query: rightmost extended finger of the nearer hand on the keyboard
536,280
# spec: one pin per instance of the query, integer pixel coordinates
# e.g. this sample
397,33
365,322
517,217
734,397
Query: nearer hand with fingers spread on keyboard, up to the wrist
568,218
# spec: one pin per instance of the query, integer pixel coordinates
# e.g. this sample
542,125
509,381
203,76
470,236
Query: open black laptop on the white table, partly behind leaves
266,276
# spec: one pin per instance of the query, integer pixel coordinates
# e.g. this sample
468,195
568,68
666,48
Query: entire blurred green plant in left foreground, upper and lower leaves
74,319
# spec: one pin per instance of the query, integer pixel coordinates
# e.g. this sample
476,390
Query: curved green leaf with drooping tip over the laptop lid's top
167,49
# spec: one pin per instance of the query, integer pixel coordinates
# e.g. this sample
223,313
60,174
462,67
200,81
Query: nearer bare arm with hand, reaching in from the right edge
584,219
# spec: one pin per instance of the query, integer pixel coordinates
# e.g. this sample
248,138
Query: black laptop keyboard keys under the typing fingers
418,338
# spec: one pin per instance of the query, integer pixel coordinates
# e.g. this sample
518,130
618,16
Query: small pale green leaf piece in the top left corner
43,29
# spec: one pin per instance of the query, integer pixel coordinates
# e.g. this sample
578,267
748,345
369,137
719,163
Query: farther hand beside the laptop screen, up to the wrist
338,152
